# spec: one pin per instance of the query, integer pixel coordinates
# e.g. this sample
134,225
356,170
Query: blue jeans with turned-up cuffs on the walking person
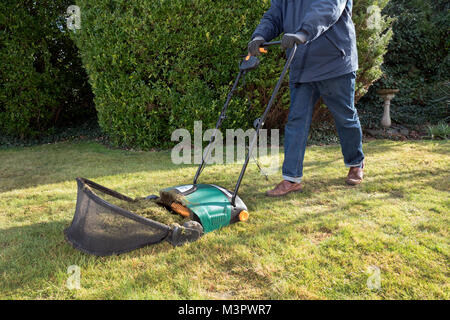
338,94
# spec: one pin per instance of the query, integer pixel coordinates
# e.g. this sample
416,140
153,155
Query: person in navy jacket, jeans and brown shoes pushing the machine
324,66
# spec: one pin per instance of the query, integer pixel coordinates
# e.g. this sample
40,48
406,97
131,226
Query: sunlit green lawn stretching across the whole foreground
318,244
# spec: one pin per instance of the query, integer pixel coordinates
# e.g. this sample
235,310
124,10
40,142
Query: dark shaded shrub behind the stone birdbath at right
417,63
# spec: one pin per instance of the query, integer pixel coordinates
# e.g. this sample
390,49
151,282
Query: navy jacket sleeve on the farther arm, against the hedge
271,25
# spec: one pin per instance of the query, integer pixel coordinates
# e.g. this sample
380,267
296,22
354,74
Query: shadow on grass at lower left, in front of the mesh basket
33,254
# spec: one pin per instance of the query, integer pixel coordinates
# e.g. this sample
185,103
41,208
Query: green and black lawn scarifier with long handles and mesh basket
107,222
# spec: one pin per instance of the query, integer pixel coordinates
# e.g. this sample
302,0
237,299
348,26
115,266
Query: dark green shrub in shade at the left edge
42,82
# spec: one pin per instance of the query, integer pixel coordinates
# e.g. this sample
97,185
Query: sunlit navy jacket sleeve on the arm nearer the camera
321,15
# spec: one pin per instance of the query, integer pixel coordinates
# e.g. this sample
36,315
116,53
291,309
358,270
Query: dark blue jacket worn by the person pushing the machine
331,47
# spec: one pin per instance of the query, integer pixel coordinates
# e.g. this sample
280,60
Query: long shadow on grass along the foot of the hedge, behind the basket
49,164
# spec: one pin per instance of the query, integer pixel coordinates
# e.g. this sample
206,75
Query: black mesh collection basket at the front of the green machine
102,228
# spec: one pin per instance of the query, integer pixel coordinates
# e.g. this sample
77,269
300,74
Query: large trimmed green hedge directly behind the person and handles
156,66
